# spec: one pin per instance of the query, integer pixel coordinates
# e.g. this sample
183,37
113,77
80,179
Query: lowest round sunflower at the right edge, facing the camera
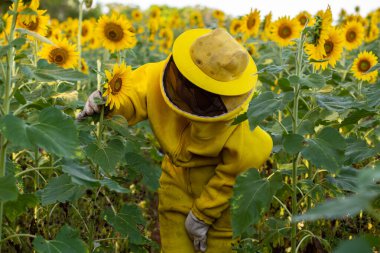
362,64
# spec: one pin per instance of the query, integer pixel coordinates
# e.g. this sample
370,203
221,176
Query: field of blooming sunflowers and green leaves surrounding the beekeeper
69,185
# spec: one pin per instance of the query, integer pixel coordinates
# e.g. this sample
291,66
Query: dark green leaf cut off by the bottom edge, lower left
67,241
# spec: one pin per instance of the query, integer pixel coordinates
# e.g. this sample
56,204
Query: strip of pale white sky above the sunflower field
278,7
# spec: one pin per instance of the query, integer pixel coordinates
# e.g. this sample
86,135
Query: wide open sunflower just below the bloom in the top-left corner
61,53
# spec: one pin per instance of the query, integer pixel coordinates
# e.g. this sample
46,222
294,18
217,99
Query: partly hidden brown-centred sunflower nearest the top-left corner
39,25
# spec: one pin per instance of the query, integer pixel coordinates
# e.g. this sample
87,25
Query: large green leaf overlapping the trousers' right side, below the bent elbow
251,198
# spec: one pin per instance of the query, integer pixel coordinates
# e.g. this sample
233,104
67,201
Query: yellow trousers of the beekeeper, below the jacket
179,187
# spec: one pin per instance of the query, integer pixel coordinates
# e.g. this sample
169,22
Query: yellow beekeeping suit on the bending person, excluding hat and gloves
203,156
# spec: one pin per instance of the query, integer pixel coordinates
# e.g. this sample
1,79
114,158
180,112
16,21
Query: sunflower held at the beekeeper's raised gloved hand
117,85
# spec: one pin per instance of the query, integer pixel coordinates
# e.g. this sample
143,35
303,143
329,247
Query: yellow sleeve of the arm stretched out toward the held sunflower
135,107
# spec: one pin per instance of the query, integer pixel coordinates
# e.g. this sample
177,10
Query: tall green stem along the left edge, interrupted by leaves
6,105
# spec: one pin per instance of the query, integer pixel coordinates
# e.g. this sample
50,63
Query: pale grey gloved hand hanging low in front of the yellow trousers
197,231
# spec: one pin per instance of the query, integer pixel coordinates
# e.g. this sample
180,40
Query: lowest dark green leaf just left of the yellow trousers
127,222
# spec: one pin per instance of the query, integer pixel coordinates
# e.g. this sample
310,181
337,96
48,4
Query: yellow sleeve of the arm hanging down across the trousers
244,149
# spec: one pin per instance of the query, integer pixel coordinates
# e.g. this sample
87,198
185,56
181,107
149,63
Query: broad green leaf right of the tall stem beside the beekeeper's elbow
326,150
